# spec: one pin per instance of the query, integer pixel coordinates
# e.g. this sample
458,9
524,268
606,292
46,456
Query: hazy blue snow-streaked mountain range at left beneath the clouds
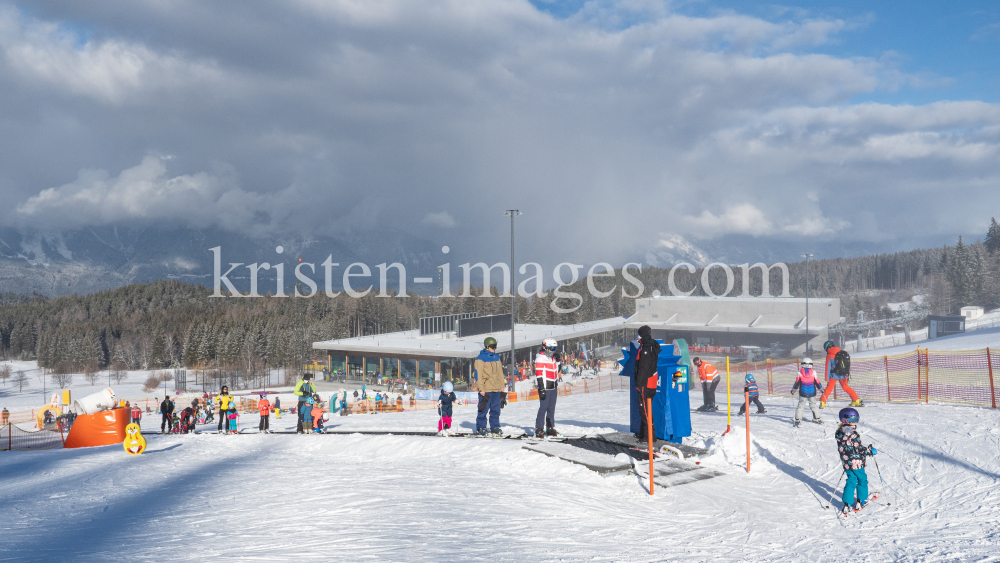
94,259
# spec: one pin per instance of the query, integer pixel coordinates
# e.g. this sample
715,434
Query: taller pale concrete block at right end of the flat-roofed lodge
739,321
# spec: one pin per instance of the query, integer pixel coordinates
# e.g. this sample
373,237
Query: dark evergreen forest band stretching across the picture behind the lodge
169,324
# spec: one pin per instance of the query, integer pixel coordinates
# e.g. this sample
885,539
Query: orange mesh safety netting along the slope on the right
963,377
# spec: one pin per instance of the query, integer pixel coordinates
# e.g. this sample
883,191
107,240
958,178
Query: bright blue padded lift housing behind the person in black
671,404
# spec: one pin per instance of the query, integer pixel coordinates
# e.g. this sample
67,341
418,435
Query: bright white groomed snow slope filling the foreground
384,486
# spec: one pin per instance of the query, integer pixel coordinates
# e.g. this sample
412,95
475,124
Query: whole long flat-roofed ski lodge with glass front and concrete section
448,344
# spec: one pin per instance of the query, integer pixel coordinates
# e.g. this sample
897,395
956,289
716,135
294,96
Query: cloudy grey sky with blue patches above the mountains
607,123
